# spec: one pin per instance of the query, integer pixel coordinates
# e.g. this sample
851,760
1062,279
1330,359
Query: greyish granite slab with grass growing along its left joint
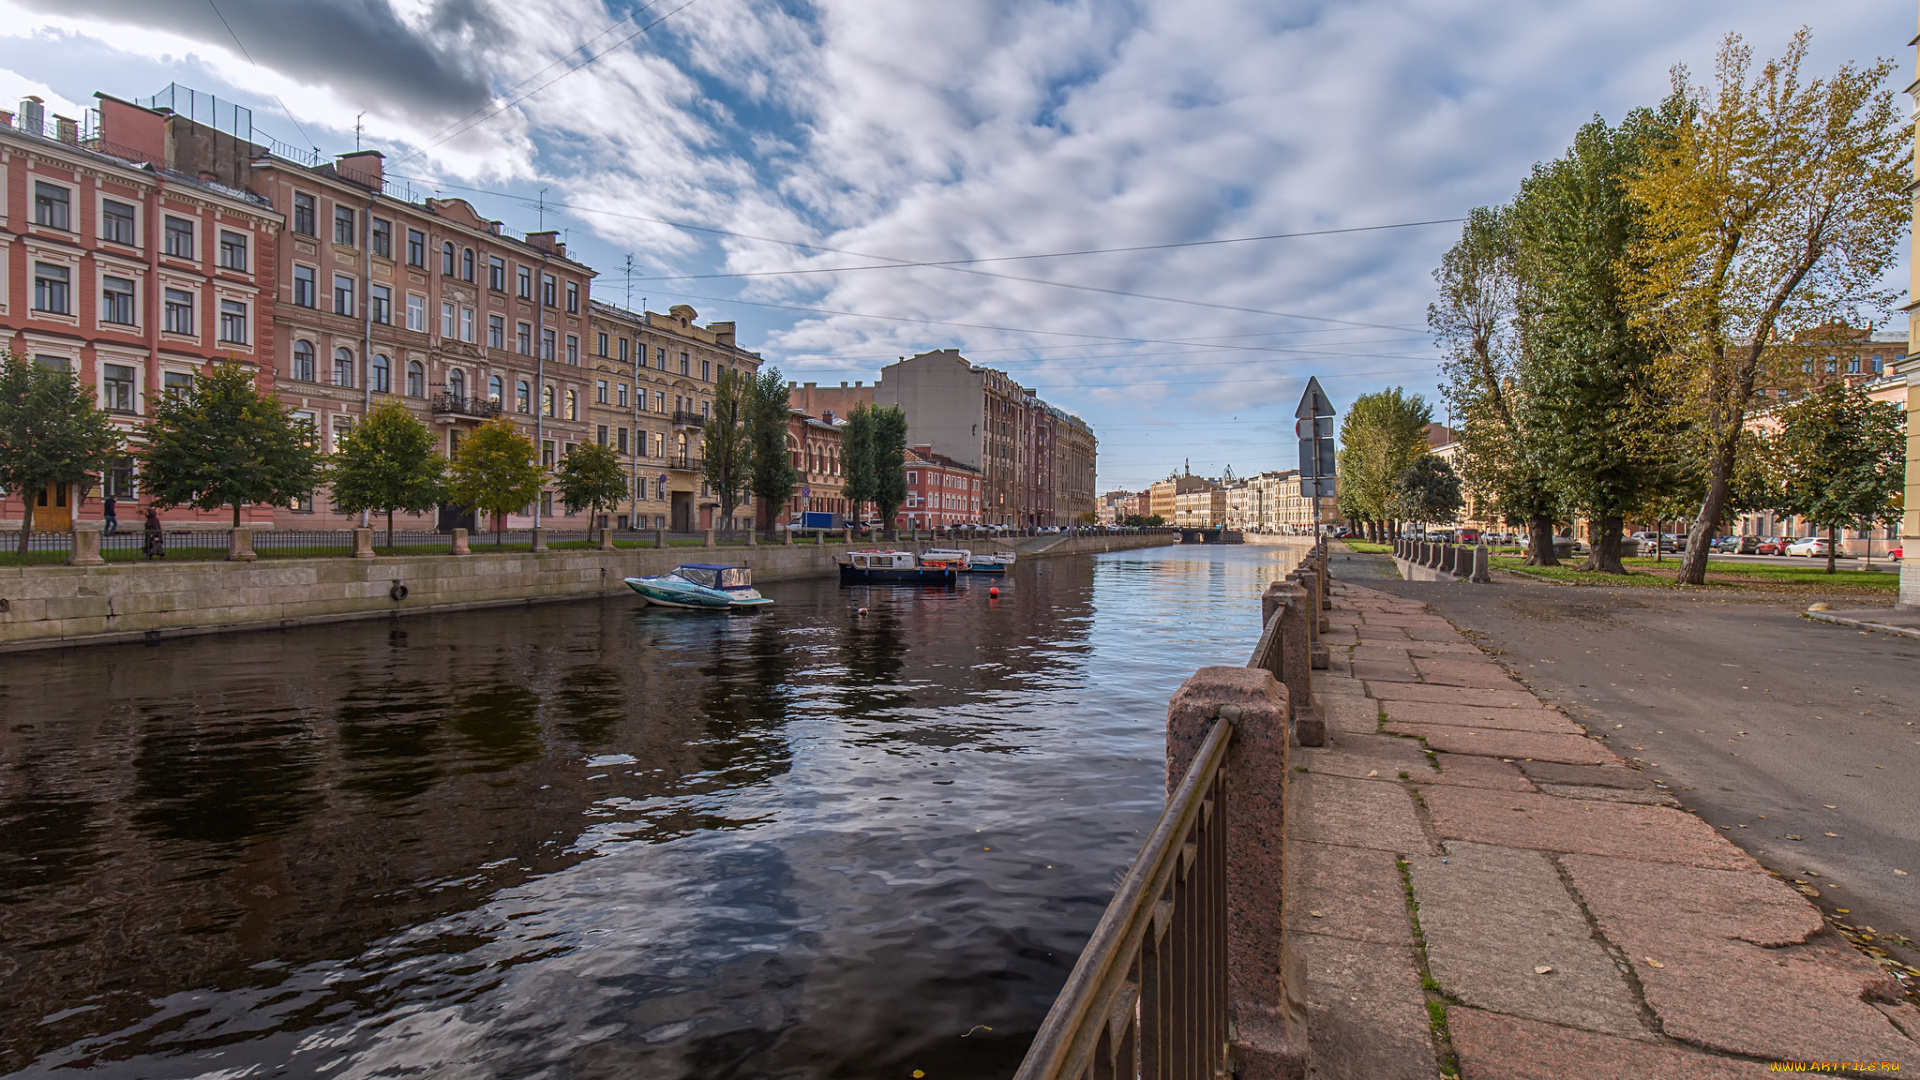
1493,918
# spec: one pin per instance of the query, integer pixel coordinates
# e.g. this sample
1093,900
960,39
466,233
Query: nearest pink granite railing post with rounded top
1266,981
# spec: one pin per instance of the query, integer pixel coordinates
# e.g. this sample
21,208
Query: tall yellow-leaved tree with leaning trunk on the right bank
1771,207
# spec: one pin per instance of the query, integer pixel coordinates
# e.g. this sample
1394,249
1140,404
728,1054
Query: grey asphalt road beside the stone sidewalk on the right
1800,739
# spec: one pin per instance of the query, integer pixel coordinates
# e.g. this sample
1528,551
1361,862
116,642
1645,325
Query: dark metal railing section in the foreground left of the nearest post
1149,994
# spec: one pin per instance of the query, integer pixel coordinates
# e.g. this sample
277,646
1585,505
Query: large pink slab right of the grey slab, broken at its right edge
1742,964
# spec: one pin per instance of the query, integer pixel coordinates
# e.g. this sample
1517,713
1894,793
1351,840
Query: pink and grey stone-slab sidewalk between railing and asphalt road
1477,889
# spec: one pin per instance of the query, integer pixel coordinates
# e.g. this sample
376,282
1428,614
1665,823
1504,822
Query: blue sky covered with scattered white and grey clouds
1285,172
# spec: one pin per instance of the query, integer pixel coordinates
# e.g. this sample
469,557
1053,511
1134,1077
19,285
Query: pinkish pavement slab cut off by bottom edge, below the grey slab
1508,1048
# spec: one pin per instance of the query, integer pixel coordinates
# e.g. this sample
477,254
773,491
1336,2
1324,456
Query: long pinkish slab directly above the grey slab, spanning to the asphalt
1522,820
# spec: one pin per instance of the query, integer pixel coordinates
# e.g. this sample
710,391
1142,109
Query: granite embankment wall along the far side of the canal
70,606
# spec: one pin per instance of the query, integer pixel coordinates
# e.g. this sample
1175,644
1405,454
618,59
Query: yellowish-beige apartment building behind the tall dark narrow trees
652,393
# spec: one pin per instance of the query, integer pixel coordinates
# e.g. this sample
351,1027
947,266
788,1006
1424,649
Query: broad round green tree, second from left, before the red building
224,443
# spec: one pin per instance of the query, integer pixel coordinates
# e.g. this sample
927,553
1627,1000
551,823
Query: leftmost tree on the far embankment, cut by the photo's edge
51,433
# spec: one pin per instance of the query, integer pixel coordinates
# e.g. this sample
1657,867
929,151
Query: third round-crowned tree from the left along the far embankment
387,462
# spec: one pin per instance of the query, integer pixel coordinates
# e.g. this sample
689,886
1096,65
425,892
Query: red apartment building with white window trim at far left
132,276
